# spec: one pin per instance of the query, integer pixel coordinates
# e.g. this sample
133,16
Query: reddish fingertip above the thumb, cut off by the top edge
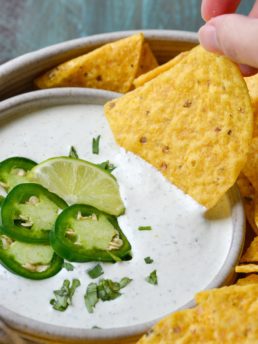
214,8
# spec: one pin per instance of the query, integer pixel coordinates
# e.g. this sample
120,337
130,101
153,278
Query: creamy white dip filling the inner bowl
188,248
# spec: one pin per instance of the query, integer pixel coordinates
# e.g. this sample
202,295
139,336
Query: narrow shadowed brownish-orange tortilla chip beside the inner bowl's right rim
248,195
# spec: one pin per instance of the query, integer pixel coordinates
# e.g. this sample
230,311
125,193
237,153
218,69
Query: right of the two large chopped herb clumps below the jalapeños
106,290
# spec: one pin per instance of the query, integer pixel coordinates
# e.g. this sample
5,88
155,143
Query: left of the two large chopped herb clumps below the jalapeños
63,296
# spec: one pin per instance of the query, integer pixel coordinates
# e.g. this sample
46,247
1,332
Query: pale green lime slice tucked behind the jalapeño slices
78,181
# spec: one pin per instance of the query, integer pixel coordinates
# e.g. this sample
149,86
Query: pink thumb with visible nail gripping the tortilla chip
233,35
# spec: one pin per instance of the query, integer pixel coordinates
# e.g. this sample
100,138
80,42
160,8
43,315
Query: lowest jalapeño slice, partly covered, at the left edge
32,261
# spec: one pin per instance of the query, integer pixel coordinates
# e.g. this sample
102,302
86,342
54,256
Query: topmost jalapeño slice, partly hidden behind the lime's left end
13,171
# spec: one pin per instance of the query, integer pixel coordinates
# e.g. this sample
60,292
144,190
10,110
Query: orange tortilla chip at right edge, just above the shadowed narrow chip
251,167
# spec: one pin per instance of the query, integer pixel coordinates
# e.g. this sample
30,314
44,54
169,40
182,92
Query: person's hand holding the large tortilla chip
230,34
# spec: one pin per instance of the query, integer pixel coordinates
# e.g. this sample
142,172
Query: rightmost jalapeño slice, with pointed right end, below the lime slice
83,233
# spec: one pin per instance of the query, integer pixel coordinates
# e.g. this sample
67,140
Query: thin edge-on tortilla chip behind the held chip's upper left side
142,79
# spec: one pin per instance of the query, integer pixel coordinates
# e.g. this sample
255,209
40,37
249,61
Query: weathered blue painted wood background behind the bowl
27,25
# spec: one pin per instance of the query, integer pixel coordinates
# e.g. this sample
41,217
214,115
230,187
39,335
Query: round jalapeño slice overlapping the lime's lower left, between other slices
29,212
